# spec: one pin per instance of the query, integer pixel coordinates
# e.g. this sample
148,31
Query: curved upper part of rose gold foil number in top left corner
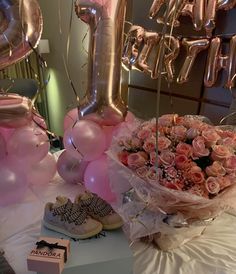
20,29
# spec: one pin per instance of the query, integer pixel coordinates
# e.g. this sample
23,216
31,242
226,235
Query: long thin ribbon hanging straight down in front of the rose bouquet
161,54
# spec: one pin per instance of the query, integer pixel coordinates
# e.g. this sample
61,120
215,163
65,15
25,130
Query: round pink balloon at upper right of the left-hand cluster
28,144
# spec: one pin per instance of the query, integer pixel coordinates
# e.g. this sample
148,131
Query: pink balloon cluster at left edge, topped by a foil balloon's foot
24,148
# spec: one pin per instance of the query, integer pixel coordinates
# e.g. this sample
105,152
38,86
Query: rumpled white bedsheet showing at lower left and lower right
212,253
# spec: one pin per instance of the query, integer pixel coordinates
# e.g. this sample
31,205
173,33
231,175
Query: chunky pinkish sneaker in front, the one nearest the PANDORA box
70,219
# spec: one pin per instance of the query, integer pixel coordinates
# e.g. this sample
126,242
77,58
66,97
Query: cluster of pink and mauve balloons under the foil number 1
84,158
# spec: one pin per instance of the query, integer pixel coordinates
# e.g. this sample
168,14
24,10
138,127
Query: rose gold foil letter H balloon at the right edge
217,61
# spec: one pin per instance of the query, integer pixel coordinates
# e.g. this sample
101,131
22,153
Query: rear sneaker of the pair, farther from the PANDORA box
99,210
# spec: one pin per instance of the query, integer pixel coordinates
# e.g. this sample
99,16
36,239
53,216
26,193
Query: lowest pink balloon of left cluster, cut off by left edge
13,183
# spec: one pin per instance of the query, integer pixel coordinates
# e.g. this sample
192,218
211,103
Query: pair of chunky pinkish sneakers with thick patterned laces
84,218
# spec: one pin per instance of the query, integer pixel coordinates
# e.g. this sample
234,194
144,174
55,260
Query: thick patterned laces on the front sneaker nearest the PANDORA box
72,213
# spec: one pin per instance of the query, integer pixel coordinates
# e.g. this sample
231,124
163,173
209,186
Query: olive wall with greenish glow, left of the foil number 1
60,95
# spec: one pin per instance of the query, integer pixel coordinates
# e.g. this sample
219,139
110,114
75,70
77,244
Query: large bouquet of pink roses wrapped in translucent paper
179,166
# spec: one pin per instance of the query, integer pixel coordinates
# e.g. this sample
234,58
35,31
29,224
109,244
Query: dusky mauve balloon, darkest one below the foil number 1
71,169
